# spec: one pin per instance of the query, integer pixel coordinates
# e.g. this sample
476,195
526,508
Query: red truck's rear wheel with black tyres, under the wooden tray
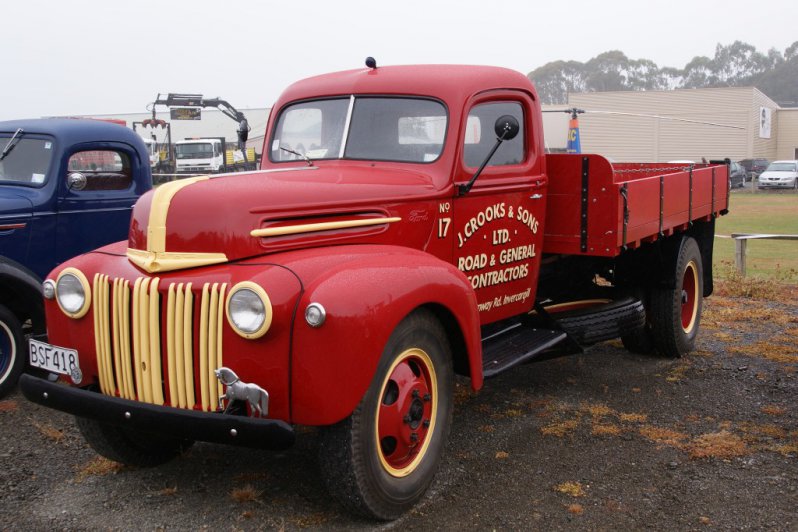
676,312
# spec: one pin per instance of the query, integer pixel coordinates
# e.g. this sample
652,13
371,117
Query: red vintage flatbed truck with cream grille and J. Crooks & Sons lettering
405,225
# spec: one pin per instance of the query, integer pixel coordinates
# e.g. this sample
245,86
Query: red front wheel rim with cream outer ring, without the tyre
406,412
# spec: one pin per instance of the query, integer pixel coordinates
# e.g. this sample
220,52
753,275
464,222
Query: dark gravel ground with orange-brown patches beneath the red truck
604,440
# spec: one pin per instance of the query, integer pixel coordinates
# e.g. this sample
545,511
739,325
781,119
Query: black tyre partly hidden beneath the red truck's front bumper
139,449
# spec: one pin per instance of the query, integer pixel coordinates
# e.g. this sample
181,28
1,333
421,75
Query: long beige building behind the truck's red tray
689,124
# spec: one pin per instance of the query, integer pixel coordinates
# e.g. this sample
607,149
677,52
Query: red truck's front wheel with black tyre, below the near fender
373,467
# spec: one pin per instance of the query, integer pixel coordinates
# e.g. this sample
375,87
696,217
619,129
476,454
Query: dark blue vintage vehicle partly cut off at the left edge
67,186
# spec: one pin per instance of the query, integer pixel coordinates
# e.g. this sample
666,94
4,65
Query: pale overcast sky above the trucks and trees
73,57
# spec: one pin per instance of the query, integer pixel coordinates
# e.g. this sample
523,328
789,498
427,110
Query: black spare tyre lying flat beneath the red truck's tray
605,321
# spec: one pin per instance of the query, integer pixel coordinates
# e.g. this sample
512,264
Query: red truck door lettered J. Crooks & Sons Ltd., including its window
498,232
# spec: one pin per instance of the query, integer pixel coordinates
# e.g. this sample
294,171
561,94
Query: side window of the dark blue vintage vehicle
101,170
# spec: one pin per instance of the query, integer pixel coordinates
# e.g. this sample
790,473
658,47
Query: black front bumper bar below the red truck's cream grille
187,424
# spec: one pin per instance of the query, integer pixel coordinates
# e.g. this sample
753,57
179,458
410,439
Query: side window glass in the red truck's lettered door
480,136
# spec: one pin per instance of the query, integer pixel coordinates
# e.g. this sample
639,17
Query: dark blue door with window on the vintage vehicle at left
97,191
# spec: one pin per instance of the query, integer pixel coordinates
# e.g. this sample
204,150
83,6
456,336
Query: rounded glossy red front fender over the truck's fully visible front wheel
366,291
